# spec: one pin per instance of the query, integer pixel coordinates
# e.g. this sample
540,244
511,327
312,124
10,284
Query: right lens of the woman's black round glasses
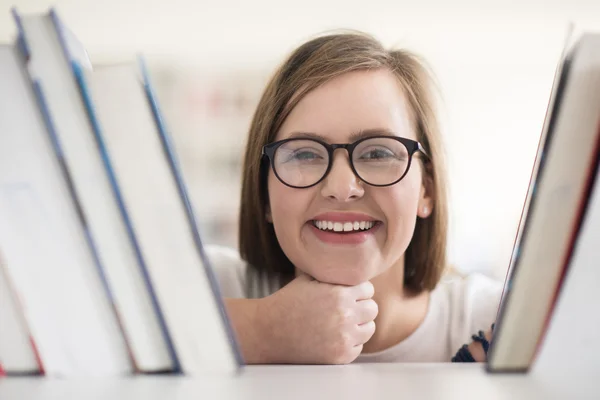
380,161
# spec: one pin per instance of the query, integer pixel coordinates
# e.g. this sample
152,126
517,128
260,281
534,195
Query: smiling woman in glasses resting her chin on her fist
343,220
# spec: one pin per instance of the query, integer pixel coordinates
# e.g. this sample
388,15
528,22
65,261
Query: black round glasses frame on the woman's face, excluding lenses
411,145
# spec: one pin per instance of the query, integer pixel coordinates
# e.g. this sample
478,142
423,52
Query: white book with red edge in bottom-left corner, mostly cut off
17,352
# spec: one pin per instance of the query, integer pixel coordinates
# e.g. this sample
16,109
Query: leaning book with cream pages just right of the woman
559,195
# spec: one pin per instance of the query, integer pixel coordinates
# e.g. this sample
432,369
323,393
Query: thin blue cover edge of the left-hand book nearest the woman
175,170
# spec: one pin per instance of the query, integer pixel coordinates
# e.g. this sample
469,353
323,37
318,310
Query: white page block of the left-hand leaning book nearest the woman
155,196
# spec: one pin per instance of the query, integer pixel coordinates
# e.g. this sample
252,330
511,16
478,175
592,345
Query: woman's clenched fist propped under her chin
310,322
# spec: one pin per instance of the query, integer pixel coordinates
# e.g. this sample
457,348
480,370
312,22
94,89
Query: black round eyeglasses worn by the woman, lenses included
377,160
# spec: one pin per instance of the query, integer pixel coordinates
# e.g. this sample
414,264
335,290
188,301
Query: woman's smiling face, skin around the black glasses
354,103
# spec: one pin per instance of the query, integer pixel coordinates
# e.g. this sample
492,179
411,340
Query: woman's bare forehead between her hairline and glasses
351,103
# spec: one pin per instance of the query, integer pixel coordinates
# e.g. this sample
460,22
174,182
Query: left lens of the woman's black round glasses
301,162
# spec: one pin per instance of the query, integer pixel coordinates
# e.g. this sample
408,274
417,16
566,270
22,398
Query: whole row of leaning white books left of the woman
102,268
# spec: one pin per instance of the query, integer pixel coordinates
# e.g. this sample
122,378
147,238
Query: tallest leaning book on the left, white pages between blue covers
55,59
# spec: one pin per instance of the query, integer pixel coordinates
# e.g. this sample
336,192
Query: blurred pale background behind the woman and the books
494,62
